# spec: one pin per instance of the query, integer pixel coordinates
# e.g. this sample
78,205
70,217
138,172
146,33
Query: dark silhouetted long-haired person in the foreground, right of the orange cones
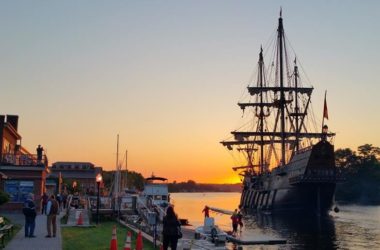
171,229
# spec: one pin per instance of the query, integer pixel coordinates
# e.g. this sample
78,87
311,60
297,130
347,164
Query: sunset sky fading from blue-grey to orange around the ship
166,76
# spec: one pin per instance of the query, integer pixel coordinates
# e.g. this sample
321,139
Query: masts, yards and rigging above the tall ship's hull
280,110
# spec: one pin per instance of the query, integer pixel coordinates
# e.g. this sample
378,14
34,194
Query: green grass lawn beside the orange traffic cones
98,237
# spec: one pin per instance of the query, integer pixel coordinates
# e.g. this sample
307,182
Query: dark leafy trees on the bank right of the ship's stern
361,170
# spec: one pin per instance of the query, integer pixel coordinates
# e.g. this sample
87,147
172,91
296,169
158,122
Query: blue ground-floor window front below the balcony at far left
18,190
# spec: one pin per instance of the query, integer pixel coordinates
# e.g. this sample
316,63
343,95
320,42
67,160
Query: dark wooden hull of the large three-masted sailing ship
307,184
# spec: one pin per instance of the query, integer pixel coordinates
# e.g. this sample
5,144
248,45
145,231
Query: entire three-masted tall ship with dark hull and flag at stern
287,159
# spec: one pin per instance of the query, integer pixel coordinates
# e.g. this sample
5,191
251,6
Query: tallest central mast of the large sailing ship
282,92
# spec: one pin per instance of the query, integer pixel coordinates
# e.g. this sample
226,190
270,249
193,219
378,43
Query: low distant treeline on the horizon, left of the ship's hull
192,186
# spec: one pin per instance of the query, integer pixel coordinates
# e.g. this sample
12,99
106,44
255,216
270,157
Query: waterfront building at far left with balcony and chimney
21,171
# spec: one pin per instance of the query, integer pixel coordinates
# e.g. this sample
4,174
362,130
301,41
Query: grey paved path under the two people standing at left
19,242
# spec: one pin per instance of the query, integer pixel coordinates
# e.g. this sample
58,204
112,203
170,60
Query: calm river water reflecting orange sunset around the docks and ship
354,227
